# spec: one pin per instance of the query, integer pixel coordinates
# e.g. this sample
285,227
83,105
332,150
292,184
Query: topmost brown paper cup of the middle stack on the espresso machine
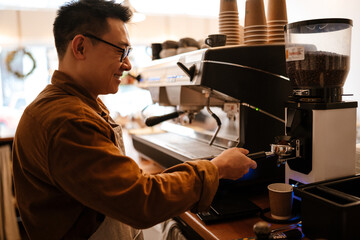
254,13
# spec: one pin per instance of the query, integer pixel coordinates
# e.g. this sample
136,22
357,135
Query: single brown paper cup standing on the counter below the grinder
281,198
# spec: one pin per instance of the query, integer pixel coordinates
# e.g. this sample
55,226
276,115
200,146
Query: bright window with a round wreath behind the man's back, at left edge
16,92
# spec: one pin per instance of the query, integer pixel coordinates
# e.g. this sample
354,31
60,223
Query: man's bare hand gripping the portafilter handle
233,163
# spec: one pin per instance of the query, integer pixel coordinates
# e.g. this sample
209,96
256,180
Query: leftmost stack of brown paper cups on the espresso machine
229,21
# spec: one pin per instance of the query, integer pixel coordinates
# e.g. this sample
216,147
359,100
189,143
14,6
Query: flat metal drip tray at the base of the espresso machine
187,147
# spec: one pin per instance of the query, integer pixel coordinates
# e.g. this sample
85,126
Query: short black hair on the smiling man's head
85,16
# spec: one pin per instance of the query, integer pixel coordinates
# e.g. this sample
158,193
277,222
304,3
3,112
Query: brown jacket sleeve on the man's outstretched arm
85,164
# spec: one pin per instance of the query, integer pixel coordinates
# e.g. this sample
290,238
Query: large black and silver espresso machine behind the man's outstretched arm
210,100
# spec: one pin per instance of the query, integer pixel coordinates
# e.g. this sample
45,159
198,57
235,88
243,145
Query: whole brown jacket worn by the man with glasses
69,173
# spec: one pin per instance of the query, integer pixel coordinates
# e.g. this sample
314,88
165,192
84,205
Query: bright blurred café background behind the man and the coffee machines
27,25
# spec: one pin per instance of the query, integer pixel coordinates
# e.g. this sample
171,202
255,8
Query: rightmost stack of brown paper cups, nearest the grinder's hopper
276,19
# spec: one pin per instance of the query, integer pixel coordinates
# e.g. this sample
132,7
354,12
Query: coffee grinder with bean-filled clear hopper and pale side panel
320,127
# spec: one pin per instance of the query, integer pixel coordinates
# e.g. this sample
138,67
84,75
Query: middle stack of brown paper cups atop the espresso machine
255,30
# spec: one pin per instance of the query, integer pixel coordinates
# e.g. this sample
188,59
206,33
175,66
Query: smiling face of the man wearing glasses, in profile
103,60
